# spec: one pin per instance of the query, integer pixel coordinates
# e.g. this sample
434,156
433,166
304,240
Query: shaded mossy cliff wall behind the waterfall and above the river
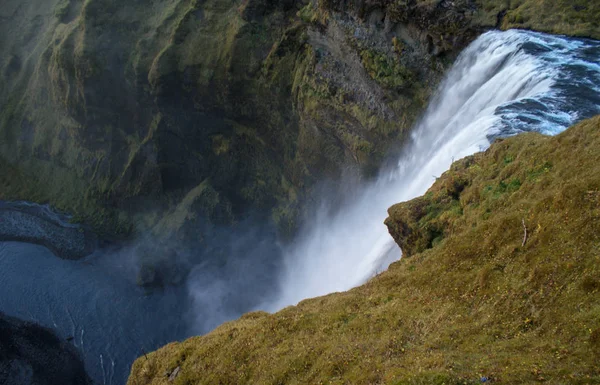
144,115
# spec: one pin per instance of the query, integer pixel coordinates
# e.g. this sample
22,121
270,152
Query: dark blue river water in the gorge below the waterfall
95,302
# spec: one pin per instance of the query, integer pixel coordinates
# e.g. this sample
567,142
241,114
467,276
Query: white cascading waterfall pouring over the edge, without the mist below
502,84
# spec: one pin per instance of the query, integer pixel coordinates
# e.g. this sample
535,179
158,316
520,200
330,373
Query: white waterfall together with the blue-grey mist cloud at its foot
343,241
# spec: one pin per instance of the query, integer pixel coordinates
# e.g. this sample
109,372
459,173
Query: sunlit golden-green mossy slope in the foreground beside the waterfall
473,298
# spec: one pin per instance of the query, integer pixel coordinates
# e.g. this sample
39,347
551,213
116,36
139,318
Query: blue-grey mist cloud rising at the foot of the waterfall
237,273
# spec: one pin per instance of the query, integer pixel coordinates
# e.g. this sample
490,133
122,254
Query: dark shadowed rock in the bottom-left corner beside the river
33,355
